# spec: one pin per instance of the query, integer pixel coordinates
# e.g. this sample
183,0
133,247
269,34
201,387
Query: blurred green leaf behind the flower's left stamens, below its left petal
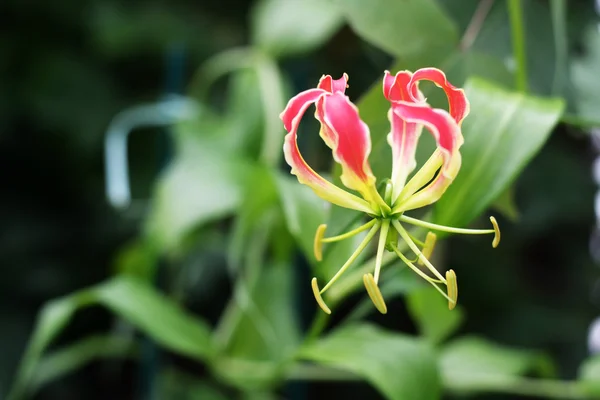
304,211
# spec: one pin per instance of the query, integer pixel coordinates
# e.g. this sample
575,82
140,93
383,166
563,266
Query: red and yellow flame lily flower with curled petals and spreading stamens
349,139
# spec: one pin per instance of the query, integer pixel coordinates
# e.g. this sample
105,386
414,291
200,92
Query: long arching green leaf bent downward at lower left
151,312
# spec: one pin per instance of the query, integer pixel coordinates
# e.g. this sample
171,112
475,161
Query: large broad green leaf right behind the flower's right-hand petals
502,133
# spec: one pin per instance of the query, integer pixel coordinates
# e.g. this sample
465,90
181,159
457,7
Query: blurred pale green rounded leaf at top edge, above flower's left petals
285,27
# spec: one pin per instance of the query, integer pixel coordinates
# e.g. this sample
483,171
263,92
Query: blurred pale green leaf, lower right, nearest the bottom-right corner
469,361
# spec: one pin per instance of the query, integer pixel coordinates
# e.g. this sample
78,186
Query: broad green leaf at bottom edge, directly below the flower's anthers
399,366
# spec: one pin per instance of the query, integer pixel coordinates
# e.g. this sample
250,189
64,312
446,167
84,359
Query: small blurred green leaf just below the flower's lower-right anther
430,312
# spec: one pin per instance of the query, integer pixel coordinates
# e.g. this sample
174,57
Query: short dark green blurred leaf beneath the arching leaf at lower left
68,359
